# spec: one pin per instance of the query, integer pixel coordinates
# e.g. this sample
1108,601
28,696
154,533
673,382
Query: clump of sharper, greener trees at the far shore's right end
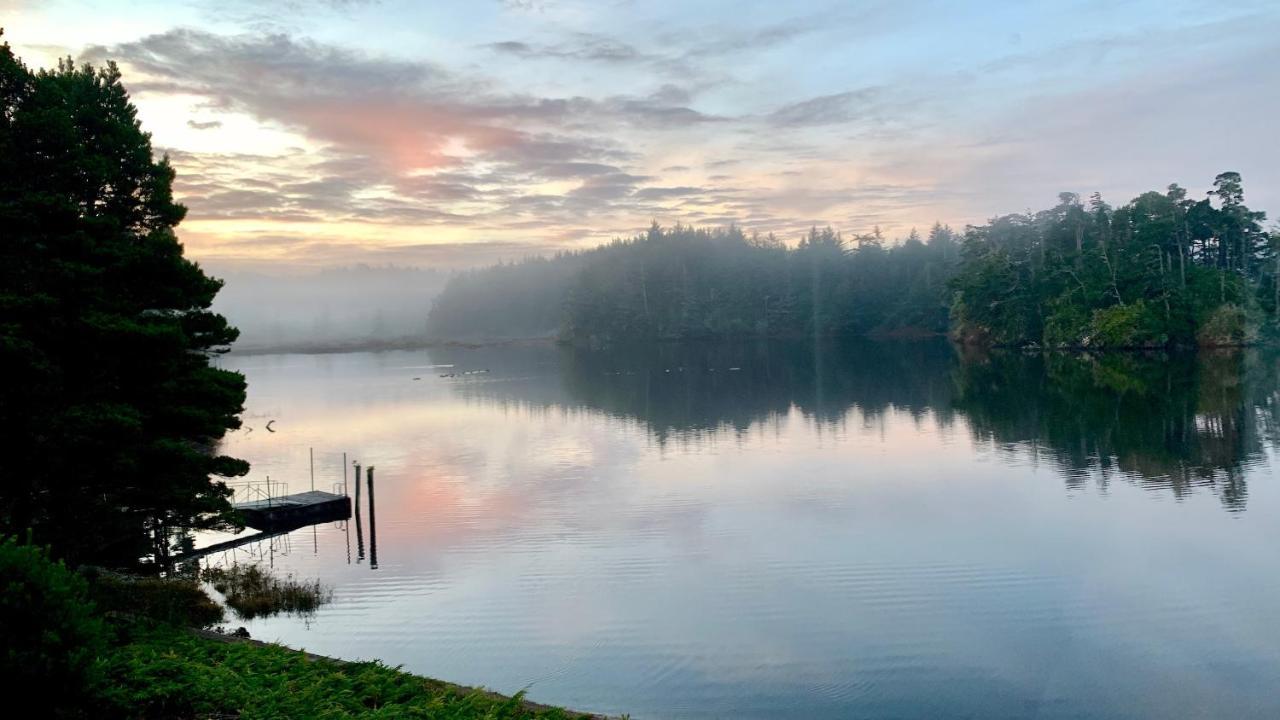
1163,270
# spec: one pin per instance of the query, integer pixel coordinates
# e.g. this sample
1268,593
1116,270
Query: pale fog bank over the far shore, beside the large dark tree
332,308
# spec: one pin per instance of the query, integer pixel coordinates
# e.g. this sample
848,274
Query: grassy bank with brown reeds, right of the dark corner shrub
161,663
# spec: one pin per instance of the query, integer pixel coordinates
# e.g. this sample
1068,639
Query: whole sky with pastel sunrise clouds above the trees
312,134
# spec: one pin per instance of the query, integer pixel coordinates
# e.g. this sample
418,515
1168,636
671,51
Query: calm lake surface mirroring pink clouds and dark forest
762,531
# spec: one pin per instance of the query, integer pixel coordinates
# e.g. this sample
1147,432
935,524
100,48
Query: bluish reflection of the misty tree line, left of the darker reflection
689,390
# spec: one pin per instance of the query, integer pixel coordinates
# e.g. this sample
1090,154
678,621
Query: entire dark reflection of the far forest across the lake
1172,422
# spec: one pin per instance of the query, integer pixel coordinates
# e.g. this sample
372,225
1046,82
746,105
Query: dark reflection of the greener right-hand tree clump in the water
1174,422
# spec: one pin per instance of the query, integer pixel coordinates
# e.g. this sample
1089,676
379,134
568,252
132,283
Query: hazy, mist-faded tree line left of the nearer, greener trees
685,284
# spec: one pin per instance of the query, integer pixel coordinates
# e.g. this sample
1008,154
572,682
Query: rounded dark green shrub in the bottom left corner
52,639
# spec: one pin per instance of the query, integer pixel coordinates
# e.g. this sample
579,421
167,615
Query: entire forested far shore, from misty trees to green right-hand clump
1162,271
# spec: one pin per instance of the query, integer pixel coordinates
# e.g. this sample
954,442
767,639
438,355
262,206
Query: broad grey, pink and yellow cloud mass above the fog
403,143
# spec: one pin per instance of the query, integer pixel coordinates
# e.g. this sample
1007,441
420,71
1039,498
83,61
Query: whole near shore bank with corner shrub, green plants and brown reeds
94,644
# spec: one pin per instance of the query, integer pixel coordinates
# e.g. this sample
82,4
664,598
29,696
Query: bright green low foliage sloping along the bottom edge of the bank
168,672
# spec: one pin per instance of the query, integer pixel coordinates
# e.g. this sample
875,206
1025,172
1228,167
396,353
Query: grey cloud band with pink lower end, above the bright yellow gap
359,104
